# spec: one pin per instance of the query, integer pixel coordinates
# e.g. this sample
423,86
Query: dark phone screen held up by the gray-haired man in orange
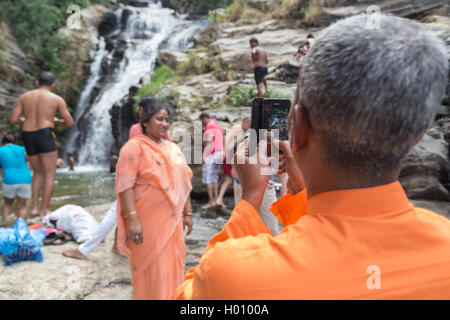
275,116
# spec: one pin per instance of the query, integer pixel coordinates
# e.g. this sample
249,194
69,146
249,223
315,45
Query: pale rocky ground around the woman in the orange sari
102,276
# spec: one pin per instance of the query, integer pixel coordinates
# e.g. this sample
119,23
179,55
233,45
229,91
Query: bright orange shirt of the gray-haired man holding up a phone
352,244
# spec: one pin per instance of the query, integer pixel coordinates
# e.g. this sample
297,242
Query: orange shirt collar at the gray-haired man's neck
364,202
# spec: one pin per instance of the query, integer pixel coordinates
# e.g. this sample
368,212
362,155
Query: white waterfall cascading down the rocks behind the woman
147,31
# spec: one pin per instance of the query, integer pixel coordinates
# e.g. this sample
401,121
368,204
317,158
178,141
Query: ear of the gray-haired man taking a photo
301,132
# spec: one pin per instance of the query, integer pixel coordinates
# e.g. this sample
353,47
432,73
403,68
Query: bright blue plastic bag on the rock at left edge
17,243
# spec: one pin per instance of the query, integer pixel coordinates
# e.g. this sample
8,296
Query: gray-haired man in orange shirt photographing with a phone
352,233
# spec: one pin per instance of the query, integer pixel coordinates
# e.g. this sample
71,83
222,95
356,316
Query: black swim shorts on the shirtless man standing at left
40,141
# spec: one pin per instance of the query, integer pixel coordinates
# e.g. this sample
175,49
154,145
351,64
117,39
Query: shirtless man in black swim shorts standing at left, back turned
39,108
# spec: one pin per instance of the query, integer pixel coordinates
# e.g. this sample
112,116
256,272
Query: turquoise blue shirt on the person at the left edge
15,170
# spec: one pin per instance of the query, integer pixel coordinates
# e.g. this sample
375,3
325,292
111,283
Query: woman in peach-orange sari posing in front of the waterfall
153,185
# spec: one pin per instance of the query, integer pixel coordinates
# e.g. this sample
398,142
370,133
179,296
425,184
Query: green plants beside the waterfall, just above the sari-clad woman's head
159,88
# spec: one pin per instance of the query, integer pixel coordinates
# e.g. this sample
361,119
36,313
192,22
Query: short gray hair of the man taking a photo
371,93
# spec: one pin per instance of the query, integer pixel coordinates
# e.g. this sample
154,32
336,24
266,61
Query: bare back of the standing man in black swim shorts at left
39,108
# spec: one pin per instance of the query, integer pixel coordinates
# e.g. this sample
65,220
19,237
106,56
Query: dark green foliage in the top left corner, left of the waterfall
35,24
